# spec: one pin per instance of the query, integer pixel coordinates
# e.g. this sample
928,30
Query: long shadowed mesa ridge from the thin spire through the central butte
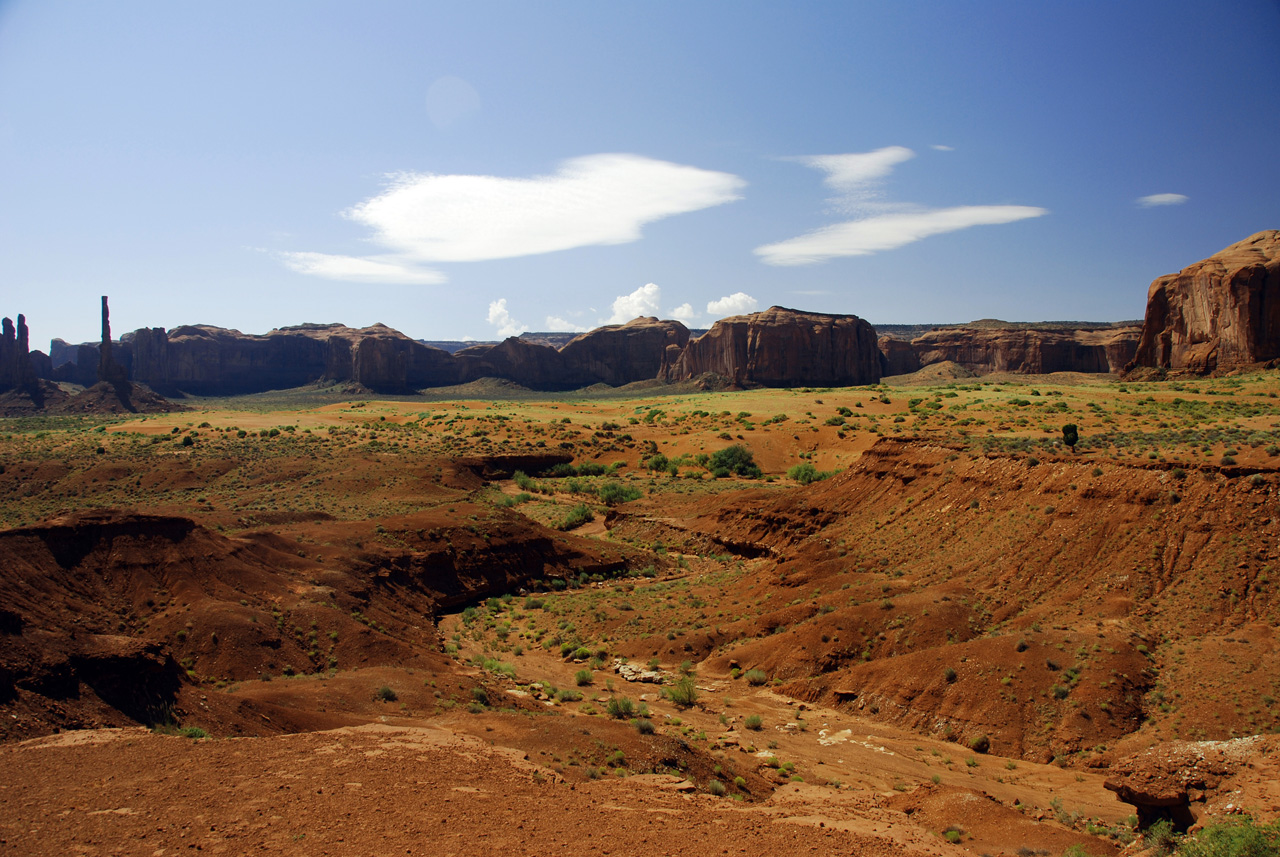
778,347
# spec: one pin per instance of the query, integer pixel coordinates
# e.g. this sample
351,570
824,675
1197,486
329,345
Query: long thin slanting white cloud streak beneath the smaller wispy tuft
888,232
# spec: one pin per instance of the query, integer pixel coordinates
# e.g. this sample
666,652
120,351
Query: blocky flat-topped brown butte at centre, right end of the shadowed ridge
784,347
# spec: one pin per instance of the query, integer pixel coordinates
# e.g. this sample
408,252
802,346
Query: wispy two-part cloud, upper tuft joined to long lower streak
881,226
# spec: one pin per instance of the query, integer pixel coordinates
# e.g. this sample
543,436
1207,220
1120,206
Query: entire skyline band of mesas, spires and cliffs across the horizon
1218,314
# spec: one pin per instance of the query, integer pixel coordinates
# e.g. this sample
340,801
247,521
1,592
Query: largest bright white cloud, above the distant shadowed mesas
588,201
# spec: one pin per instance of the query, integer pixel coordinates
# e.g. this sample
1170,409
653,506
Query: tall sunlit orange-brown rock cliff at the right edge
1219,313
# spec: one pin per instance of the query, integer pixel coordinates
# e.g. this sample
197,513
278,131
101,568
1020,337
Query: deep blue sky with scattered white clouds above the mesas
472,169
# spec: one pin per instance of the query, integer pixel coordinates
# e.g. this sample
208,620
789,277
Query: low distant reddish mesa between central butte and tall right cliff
1028,350
